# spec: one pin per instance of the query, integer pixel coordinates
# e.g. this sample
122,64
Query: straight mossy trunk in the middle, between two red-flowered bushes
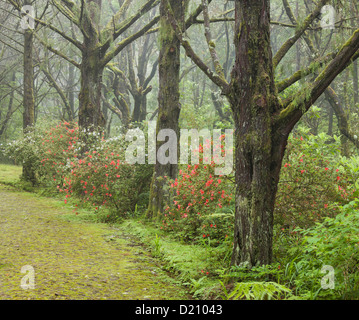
168,98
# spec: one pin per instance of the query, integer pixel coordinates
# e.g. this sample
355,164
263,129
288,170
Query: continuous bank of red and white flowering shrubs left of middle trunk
99,177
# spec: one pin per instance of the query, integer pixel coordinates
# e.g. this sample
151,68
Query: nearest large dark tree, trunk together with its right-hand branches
263,124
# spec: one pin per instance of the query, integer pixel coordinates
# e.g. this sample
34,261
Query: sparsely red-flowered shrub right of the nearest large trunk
312,183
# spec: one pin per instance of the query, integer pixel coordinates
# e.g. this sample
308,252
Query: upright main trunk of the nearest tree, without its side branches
259,150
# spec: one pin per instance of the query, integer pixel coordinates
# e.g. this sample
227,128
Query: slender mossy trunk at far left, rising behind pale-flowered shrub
28,172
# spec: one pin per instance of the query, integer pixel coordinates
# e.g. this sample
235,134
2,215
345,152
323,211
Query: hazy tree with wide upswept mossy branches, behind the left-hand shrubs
97,47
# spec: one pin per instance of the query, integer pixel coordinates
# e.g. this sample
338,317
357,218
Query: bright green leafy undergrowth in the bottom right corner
333,242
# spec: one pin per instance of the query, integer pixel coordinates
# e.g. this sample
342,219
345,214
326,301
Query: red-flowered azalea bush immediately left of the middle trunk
103,179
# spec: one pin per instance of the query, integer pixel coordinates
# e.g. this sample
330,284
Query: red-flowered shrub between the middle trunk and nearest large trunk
201,200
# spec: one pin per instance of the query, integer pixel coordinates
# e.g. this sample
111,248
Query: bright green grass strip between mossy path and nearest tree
197,266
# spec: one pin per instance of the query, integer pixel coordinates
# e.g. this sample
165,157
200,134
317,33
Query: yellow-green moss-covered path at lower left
72,260
